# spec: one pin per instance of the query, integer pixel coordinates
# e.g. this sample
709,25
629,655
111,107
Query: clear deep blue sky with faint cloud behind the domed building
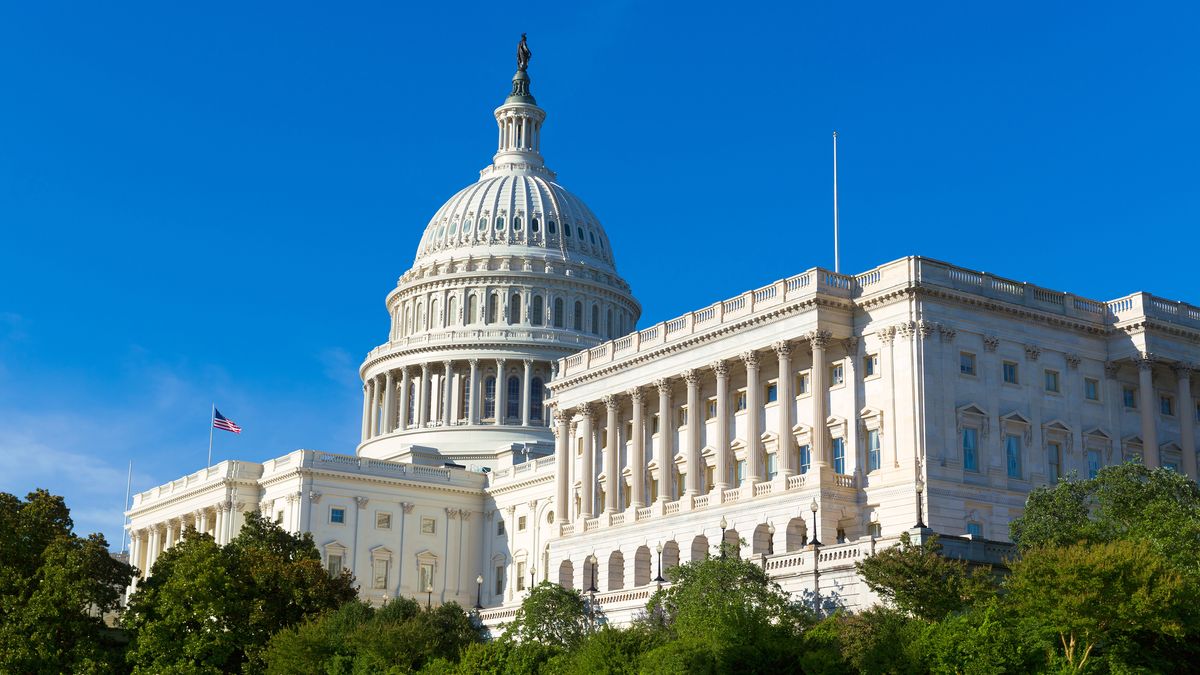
211,202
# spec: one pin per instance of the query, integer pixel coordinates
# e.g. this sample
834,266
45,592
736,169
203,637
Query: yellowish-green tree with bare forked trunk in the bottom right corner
1123,604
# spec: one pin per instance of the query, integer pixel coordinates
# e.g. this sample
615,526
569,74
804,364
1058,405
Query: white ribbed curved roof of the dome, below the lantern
511,213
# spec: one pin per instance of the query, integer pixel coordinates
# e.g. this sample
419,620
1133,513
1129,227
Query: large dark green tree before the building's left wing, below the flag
209,608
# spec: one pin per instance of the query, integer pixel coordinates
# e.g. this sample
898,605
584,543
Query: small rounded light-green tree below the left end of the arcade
554,616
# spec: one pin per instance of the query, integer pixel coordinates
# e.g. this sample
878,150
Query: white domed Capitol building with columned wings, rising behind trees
519,428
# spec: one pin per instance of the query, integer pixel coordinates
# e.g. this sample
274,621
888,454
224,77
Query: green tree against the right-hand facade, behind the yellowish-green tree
1124,503
